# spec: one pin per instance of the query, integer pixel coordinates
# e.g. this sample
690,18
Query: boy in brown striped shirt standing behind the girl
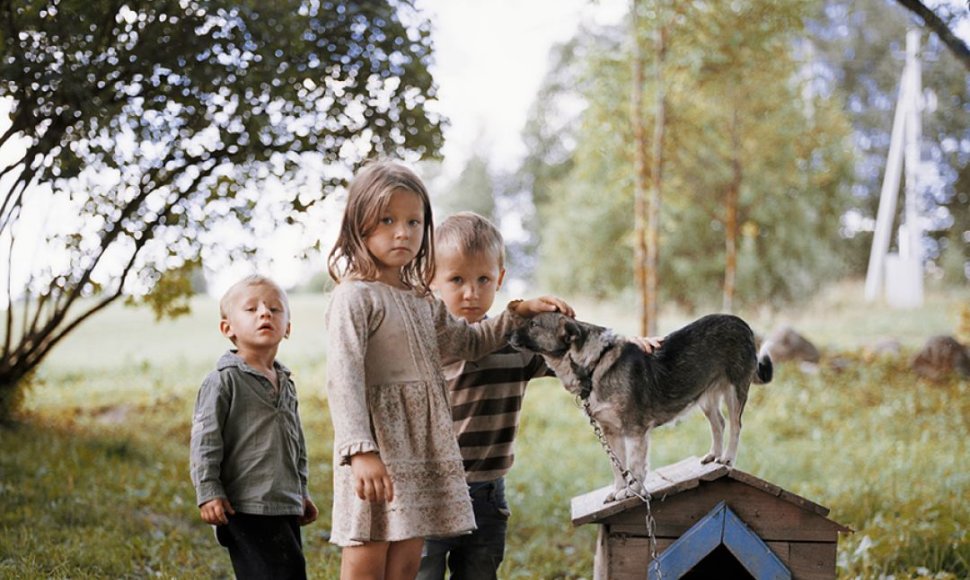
486,397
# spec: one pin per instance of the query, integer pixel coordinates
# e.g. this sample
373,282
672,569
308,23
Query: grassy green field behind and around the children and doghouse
94,481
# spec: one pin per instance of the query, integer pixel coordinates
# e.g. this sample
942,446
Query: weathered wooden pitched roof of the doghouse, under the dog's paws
677,478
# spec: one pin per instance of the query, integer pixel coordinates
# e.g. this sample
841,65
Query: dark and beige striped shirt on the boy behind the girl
486,398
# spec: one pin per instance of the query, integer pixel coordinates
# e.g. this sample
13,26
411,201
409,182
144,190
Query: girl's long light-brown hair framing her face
369,194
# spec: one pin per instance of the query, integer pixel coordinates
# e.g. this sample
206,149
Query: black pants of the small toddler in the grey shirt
264,546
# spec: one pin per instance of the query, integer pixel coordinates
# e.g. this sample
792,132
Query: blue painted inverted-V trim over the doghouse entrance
719,526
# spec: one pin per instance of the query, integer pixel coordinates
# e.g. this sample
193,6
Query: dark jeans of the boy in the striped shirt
474,556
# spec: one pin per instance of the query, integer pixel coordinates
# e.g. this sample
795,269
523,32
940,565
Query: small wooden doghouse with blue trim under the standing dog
709,516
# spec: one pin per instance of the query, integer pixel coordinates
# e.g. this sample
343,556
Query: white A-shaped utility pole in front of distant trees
902,273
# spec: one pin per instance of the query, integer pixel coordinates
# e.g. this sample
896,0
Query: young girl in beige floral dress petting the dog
398,473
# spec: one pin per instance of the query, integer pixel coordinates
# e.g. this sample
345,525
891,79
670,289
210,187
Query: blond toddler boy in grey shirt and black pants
248,455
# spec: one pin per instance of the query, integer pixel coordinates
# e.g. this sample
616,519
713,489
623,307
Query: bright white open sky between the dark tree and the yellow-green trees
491,58
